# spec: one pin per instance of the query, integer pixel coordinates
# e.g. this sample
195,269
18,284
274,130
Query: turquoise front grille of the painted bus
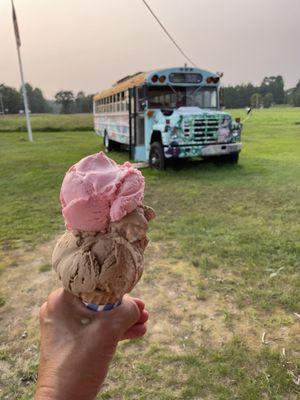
201,130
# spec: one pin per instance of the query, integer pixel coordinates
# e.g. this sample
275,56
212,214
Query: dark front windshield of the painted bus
175,97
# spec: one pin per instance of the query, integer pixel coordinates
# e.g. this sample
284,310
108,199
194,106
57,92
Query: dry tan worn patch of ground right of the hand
180,318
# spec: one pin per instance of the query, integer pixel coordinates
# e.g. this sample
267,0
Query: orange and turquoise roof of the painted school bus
146,77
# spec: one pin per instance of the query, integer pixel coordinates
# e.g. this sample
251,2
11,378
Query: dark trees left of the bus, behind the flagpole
65,102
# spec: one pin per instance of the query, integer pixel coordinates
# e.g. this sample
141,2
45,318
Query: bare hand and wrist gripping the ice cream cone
77,344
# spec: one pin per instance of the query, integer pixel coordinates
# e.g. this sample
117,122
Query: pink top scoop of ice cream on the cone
97,191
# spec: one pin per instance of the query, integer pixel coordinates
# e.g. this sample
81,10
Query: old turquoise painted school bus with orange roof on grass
167,114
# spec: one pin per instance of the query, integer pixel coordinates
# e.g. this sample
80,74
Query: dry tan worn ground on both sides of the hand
180,319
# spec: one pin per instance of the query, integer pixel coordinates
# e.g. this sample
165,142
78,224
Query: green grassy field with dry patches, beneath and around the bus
222,276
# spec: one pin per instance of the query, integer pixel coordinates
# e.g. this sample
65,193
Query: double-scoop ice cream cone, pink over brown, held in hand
100,257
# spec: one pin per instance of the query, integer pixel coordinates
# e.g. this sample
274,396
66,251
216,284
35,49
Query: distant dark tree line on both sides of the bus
270,92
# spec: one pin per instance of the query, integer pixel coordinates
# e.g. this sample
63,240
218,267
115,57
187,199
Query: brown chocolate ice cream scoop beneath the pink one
101,267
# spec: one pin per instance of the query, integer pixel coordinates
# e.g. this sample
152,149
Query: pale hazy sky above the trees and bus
89,44
